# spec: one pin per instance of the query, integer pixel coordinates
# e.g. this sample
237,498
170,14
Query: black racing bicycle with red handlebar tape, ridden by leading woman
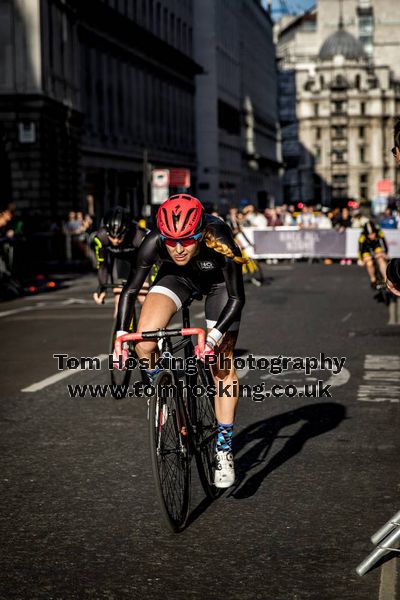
182,424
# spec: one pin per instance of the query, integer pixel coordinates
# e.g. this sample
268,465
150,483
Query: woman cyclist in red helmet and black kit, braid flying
197,255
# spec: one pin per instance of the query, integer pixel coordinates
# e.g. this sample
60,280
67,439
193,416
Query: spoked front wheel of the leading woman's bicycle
170,452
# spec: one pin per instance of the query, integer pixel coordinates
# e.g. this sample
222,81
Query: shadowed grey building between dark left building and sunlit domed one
236,103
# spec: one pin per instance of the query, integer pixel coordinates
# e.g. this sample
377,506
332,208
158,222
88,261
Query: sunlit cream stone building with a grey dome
340,97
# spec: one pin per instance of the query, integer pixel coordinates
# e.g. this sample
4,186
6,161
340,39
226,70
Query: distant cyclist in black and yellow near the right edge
372,242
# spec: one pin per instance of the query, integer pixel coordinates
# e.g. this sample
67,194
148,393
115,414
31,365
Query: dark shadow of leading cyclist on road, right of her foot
253,444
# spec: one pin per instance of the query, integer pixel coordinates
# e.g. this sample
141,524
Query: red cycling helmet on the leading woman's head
180,216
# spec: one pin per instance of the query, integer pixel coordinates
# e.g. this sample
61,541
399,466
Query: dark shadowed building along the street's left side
90,94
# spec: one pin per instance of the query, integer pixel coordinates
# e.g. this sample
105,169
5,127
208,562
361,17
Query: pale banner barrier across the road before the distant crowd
290,242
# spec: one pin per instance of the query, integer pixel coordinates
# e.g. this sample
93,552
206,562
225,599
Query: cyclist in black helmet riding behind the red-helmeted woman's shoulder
115,246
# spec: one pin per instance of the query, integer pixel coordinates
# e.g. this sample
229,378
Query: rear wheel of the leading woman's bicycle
206,426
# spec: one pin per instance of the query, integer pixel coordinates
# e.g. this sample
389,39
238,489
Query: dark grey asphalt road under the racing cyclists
316,476
